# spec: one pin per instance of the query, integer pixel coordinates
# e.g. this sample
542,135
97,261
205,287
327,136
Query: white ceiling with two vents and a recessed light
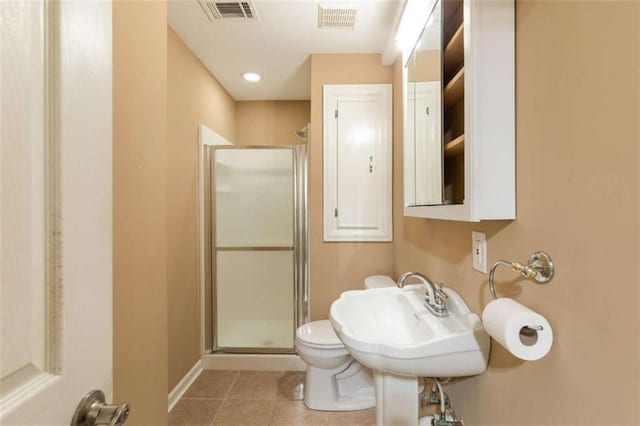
277,45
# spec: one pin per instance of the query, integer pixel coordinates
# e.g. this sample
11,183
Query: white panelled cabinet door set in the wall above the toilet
357,162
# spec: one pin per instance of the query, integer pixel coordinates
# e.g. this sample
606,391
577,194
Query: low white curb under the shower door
255,362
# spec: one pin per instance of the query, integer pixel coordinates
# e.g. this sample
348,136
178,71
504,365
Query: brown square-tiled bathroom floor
261,398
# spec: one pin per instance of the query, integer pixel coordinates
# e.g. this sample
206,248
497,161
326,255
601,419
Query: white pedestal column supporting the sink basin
396,399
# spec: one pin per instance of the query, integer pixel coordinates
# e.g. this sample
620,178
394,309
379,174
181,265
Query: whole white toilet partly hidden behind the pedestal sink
334,381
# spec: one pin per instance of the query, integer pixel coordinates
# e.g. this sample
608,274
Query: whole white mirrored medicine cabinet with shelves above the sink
459,132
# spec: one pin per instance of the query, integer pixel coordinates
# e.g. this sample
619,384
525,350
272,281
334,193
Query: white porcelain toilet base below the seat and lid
346,388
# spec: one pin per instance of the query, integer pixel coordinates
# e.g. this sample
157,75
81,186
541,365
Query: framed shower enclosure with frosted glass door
256,247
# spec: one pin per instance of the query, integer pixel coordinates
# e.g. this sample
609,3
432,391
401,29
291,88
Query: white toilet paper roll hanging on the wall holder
506,320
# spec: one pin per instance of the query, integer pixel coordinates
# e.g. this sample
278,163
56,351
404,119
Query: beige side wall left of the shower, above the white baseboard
194,97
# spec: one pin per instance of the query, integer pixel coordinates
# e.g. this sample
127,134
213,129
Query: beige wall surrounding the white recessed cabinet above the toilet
336,267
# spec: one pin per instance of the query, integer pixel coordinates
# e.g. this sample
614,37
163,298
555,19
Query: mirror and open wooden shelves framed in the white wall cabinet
434,125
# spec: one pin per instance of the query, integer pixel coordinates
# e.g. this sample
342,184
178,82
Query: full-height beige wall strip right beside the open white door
140,176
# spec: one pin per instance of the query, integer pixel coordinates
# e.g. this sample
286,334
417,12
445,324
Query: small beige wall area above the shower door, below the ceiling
270,122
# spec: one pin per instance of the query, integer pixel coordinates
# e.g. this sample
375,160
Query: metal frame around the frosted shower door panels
300,248
